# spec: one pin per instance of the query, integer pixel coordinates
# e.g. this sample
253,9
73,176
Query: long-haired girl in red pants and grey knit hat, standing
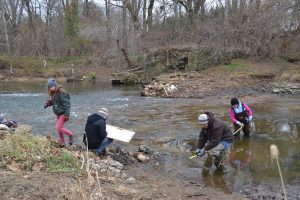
59,99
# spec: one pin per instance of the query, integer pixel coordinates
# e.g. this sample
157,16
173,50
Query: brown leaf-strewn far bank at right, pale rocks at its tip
242,78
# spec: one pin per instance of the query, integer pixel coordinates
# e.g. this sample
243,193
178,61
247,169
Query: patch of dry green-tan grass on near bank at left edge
26,152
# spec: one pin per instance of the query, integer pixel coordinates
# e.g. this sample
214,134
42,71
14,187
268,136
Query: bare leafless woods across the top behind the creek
59,28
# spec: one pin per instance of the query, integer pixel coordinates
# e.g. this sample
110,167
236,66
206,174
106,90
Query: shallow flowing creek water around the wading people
170,127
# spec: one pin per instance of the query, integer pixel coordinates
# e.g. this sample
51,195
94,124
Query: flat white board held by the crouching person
120,134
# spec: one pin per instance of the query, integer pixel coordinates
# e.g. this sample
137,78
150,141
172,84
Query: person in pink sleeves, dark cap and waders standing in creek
241,116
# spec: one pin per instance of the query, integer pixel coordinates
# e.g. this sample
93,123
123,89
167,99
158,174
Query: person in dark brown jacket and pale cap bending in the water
215,139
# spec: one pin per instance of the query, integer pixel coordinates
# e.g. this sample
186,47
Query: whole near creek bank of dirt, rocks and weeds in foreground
122,174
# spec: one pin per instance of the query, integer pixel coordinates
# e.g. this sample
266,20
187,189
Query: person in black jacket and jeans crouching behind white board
95,136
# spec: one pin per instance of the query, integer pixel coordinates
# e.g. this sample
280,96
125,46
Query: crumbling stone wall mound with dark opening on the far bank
174,59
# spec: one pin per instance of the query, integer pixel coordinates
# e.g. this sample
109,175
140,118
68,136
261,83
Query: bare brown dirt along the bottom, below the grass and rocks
45,185
